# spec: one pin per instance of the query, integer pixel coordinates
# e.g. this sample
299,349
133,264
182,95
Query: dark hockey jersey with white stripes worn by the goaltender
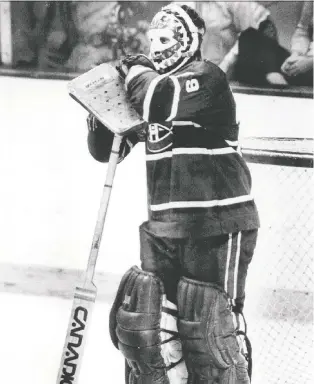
196,175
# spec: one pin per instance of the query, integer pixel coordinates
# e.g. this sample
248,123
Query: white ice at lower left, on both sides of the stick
32,335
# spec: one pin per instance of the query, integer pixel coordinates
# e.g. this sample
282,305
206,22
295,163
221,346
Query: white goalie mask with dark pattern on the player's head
174,38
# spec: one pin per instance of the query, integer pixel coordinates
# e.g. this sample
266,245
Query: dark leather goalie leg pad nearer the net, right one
208,334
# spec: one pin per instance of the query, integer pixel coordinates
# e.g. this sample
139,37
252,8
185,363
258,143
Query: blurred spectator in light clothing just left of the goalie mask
106,31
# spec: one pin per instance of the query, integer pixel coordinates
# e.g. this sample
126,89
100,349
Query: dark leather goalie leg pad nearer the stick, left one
143,326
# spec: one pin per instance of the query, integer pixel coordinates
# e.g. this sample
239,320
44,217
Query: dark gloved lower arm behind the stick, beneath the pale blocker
100,141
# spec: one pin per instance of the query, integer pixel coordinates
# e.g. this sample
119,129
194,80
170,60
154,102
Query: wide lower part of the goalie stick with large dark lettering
83,303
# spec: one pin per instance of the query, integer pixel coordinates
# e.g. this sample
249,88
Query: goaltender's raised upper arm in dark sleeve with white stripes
193,95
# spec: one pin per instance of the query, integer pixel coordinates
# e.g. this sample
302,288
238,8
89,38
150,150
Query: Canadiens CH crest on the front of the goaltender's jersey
159,137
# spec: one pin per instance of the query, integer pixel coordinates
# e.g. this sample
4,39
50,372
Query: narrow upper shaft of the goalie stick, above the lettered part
112,164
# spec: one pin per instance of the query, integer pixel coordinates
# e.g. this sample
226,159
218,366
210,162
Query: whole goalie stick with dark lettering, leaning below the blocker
85,294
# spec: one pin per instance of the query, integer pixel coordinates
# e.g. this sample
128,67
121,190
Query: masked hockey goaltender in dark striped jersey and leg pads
178,319
